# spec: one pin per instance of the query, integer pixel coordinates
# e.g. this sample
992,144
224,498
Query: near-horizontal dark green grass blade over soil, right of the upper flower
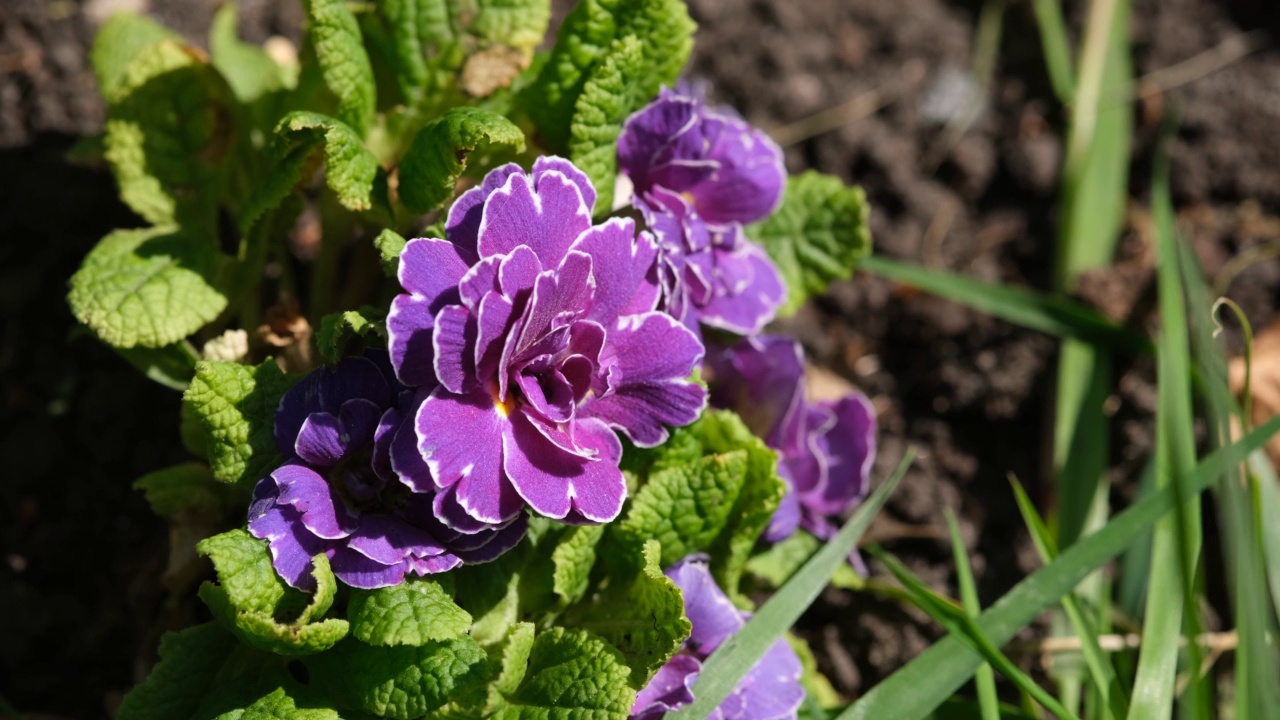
1035,311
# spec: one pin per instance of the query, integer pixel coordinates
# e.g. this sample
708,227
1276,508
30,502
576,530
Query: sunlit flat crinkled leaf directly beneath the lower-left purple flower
413,613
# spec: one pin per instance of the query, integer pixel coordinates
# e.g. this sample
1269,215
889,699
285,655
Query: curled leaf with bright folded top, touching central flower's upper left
441,151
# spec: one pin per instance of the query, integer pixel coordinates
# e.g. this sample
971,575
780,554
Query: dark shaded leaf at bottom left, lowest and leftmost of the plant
189,666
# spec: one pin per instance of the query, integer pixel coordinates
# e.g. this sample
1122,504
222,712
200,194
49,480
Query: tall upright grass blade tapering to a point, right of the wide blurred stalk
1171,599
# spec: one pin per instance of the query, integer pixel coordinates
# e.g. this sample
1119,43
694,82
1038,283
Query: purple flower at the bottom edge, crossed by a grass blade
771,691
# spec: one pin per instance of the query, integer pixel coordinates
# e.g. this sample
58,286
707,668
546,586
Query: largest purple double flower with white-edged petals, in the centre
533,336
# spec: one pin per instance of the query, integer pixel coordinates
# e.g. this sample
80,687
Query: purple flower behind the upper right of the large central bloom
698,176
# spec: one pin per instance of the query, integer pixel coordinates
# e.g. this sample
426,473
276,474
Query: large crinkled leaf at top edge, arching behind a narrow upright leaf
662,29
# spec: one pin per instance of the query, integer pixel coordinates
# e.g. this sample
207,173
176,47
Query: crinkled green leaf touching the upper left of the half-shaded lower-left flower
234,408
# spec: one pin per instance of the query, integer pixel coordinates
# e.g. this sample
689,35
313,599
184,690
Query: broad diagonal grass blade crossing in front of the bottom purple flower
740,653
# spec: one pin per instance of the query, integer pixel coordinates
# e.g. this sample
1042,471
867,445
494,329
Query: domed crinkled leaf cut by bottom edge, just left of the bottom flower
573,676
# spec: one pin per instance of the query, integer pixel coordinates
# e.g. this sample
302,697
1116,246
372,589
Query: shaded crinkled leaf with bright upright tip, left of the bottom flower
644,618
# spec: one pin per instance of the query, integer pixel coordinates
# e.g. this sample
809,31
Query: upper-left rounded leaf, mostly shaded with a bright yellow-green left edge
168,130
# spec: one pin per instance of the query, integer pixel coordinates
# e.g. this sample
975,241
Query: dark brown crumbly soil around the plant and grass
81,604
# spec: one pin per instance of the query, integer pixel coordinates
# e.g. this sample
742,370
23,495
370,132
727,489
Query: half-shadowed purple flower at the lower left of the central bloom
340,495
